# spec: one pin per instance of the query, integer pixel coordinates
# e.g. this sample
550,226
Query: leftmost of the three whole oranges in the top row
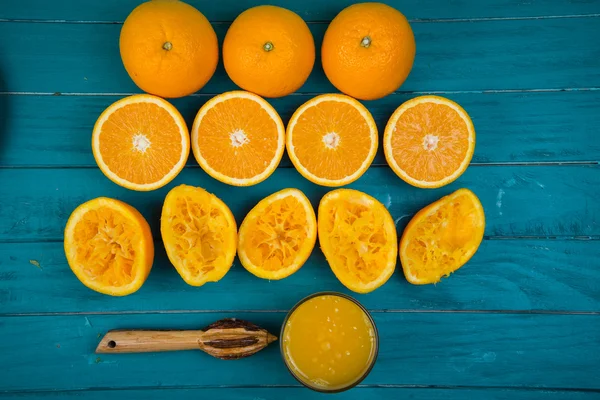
168,48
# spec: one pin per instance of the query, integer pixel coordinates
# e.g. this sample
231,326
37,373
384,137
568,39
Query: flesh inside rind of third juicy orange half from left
332,140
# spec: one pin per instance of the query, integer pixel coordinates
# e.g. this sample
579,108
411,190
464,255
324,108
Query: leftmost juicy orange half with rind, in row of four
141,142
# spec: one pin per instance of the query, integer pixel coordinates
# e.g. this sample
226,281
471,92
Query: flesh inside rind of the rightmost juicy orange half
430,141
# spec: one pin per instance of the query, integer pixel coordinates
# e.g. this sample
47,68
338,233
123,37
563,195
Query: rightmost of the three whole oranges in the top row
368,50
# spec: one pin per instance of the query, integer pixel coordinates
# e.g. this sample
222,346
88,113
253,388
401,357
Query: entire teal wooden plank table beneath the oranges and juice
520,321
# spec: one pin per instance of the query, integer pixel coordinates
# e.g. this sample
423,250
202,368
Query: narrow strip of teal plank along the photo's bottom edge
294,393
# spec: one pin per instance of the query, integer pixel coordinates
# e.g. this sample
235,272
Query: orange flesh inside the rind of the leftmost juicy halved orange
148,126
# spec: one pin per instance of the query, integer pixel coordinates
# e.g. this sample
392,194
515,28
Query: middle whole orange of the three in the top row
269,50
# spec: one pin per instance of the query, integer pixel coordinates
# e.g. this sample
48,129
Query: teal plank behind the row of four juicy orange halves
511,127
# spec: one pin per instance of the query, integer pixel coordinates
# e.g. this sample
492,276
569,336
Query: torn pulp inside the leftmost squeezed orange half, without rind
105,250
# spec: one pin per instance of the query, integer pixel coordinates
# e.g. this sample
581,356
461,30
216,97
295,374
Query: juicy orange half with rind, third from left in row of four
332,139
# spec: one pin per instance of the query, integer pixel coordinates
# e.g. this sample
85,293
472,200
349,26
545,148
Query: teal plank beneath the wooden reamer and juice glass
542,351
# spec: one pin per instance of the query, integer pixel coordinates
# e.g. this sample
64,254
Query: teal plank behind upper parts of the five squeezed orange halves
519,201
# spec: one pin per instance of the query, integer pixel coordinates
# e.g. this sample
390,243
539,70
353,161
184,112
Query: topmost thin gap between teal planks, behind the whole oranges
413,20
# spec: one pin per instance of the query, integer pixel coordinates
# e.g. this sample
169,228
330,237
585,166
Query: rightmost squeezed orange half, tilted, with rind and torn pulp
442,237
